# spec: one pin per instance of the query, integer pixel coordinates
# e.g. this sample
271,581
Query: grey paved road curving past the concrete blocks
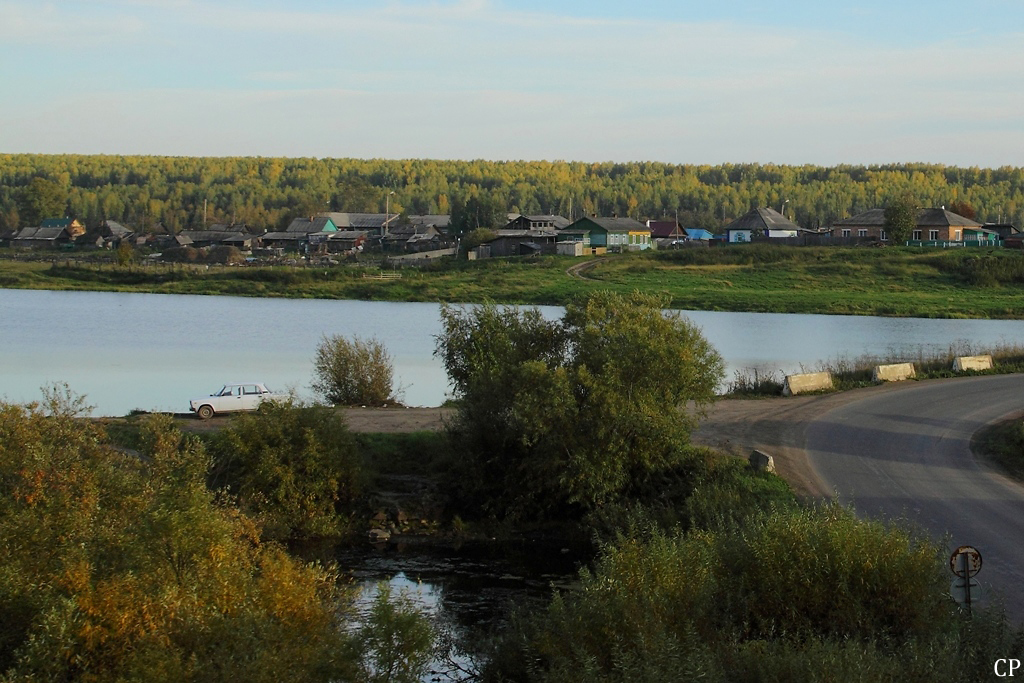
907,454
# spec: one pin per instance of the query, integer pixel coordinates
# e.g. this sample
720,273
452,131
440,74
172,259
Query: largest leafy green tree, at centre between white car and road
563,417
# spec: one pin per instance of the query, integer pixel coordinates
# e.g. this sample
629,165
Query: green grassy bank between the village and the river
905,282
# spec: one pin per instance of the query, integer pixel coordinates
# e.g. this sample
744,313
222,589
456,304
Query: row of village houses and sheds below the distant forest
423,237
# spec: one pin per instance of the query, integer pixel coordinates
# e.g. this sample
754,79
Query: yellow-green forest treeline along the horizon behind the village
186,193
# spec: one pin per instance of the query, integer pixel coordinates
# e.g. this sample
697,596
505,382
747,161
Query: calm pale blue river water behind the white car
156,352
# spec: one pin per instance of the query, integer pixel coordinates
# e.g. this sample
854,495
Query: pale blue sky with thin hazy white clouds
711,82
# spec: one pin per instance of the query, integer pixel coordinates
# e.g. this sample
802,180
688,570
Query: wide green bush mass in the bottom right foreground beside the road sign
807,595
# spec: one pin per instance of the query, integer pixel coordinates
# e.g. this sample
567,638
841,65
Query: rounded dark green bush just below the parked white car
293,467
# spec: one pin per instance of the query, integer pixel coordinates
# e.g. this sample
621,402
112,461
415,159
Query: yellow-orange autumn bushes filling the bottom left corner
120,568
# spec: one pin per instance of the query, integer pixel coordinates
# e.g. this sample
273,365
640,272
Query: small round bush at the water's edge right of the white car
354,373
